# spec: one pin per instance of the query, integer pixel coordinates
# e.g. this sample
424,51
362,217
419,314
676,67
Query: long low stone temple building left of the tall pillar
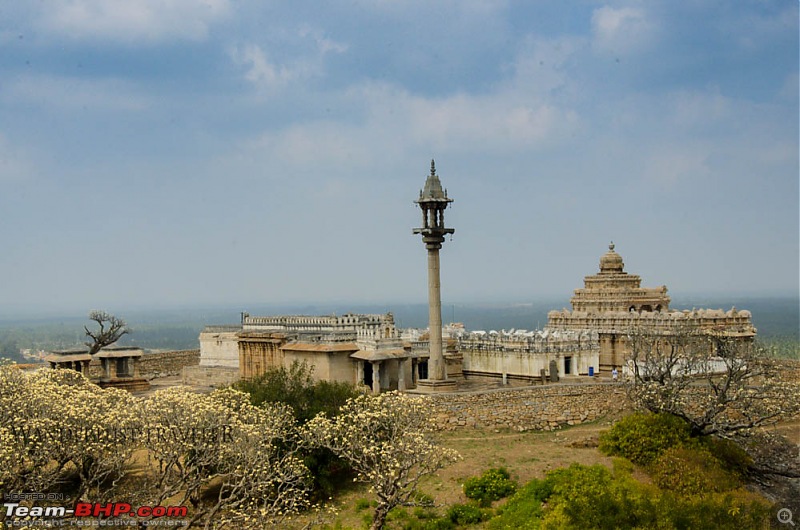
353,348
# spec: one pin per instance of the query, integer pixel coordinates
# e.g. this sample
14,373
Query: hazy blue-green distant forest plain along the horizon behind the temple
777,320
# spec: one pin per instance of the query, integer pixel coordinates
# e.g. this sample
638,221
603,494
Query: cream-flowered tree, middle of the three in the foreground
248,453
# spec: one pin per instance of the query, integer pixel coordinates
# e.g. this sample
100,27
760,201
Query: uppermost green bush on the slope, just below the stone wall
642,437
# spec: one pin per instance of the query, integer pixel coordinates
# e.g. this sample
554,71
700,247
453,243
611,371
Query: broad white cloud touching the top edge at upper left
149,21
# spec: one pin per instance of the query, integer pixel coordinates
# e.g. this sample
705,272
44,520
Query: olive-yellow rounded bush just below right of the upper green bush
691,471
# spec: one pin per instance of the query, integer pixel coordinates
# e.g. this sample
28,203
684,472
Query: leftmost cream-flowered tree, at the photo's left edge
64,428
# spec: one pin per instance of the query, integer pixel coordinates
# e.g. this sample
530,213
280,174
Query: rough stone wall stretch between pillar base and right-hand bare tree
525,409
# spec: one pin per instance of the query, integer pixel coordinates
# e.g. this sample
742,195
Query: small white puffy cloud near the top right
619,31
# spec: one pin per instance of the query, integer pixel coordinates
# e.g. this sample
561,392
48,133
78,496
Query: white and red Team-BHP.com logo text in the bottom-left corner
86,509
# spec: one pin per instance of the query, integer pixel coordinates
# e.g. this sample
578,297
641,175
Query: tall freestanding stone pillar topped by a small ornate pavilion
433,201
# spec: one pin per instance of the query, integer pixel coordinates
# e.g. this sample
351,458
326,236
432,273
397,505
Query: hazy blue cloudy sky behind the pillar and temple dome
171,153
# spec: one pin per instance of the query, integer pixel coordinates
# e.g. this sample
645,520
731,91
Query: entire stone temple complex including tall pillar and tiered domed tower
586,341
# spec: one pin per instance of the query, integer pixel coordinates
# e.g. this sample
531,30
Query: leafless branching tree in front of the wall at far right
720,384
